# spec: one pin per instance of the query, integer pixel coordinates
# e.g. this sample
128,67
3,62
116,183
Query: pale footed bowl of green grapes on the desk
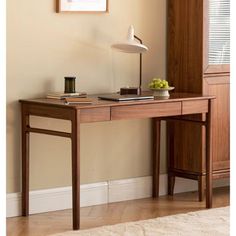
160,87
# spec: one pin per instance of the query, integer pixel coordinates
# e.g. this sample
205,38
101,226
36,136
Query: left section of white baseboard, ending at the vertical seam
57,199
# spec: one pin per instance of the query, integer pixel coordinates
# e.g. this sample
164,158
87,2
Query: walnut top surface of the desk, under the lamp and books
174,97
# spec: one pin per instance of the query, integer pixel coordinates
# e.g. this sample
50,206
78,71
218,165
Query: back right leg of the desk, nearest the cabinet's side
156,156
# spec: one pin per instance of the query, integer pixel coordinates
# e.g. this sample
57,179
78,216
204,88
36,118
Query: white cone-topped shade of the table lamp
130,45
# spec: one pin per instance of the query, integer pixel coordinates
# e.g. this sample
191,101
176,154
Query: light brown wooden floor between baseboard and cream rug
60,221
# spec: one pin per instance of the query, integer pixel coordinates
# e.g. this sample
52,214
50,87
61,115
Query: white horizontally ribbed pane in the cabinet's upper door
219,32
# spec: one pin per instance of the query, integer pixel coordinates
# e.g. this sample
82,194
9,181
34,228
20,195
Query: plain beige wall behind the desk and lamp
42,48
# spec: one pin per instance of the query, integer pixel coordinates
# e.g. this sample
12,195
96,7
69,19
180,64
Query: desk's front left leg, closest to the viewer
75,140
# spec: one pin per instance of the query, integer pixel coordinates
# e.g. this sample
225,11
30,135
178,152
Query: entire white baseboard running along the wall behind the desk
98,193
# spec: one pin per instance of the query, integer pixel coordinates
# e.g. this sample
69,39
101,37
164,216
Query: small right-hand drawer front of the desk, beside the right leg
195,107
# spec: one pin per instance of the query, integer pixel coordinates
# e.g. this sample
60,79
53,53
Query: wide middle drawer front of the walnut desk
146,111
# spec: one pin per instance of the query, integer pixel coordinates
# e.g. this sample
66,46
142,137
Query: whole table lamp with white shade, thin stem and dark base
132,46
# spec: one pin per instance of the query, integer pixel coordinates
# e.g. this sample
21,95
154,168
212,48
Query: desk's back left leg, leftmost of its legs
25,161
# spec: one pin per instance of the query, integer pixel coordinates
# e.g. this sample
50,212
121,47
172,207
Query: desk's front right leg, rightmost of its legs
209,155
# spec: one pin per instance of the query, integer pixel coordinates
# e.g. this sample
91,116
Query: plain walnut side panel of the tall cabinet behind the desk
184,71
